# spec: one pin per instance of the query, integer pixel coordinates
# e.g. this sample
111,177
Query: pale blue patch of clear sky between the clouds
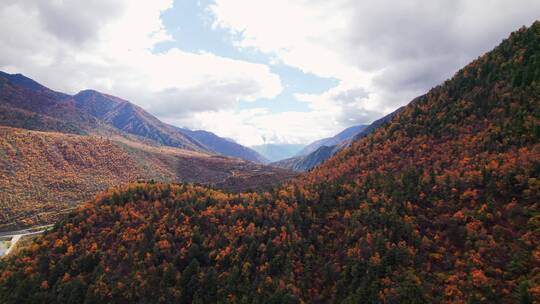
190,25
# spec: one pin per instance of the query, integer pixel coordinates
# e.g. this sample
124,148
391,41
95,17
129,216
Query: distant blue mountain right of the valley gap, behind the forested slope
325,148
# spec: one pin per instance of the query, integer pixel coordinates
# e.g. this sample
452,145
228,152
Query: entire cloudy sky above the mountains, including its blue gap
279,71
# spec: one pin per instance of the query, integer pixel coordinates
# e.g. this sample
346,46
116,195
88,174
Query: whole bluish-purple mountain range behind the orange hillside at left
91,112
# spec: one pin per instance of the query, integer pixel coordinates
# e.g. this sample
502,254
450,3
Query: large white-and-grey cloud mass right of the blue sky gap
391,50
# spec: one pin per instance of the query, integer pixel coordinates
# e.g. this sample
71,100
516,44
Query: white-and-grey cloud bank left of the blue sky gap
71,45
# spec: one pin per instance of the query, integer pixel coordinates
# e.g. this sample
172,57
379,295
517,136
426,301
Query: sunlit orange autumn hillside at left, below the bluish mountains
43,173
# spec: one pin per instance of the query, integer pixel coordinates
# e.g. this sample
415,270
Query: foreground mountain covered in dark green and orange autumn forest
439,205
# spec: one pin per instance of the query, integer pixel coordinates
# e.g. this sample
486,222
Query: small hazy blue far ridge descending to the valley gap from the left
224,146
